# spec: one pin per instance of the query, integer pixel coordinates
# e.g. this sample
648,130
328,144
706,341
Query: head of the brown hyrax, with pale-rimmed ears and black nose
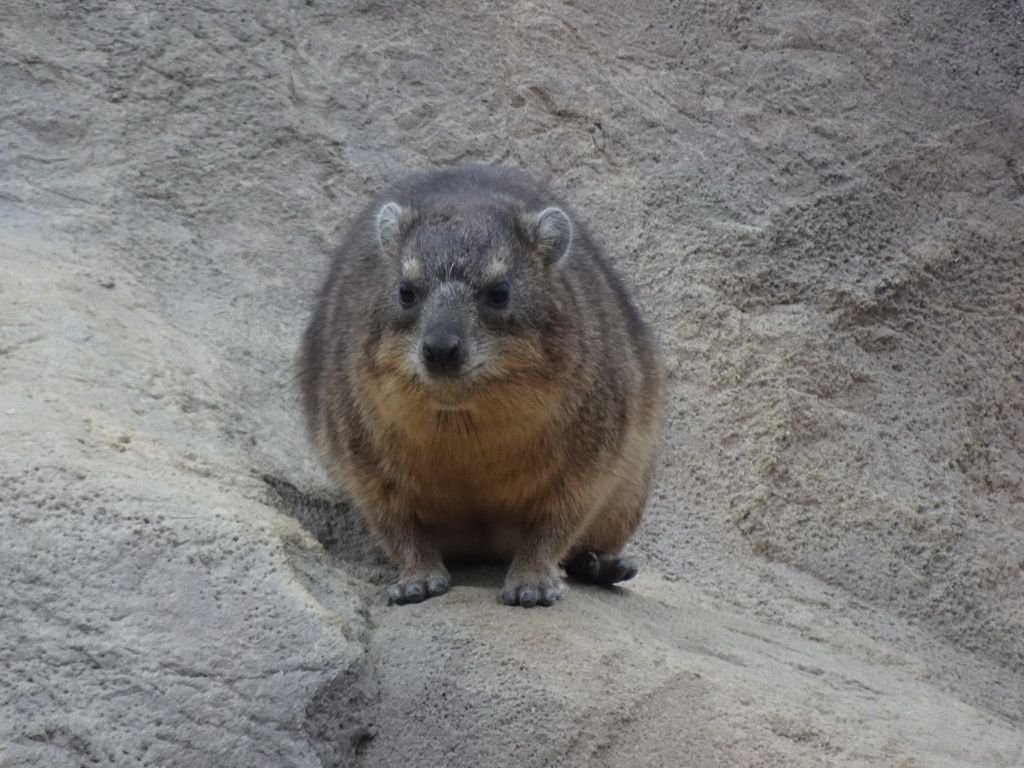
473,296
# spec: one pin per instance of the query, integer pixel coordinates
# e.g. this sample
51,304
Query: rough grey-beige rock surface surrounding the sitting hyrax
823,210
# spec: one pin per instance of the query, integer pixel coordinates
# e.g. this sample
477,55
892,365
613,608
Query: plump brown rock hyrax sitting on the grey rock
478,379
